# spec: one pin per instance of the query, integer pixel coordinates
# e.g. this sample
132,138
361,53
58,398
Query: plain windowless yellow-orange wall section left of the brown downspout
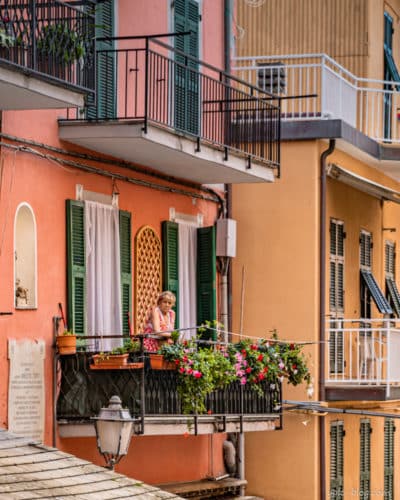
278,252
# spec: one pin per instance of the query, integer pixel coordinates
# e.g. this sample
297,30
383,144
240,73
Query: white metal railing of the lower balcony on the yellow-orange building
363,351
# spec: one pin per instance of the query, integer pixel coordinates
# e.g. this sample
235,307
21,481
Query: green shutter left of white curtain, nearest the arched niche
76,272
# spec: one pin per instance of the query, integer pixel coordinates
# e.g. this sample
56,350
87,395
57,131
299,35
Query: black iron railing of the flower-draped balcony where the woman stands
149,393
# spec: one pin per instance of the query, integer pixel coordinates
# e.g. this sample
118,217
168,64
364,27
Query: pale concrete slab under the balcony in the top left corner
21,89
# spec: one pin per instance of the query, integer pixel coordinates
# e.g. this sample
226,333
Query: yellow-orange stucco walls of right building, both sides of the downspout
277,267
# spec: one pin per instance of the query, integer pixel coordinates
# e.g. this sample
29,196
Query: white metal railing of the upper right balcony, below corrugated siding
371,106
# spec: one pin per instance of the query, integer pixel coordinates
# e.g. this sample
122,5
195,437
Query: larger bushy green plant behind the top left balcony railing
58,40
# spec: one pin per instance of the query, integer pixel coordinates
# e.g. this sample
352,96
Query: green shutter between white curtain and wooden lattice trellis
125,239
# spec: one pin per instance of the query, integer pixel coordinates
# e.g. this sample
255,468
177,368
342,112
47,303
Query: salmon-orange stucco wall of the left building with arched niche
45,185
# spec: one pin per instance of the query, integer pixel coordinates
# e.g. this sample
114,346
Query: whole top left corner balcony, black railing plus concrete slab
46,54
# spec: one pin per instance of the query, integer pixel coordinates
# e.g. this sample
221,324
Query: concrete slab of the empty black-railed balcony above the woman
166,151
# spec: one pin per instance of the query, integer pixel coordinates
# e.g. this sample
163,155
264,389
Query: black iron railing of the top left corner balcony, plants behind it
50,39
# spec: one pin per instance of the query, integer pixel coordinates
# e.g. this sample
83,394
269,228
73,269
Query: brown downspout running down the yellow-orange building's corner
322,296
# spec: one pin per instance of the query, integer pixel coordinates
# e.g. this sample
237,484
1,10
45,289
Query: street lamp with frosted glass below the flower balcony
113,431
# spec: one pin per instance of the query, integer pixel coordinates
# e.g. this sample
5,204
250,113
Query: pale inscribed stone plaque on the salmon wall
26,396
